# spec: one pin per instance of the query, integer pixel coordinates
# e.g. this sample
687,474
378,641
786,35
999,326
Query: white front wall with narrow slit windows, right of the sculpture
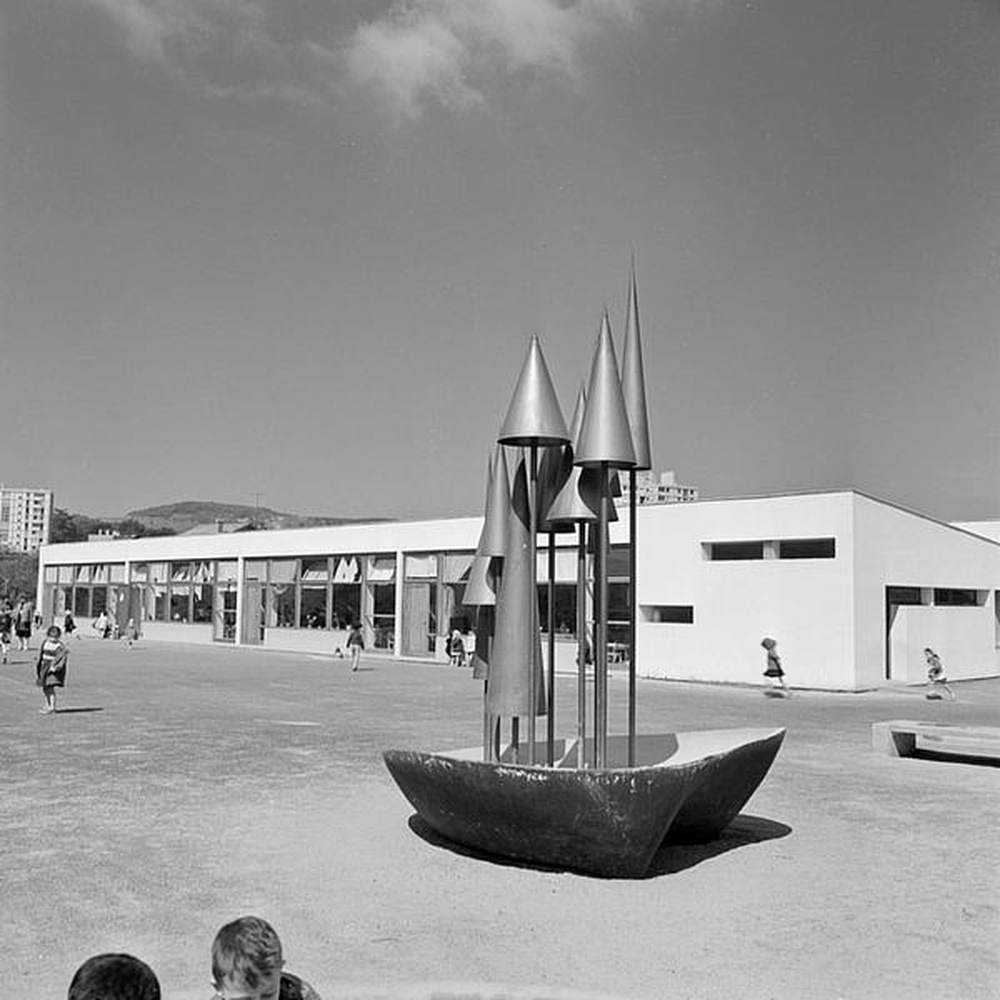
804,604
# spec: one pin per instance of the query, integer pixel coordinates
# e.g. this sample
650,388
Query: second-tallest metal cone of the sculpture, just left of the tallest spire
605,436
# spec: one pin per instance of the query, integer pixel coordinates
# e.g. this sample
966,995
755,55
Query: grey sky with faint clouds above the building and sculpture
294,251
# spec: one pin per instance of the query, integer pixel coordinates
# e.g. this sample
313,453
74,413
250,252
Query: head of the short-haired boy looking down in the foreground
246,960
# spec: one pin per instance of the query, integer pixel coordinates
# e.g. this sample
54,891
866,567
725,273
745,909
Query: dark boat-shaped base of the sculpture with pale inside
684,786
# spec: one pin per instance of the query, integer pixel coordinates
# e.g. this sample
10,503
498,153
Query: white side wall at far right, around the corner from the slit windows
895,547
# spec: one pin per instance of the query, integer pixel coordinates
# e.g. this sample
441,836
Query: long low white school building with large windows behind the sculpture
851,587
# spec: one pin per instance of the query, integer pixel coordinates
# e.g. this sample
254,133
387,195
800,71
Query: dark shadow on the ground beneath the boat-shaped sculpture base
670,858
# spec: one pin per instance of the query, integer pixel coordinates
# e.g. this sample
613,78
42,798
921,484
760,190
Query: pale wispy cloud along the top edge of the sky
448,52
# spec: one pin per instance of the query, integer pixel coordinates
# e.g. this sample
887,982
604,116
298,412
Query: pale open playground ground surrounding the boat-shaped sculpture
179,787
